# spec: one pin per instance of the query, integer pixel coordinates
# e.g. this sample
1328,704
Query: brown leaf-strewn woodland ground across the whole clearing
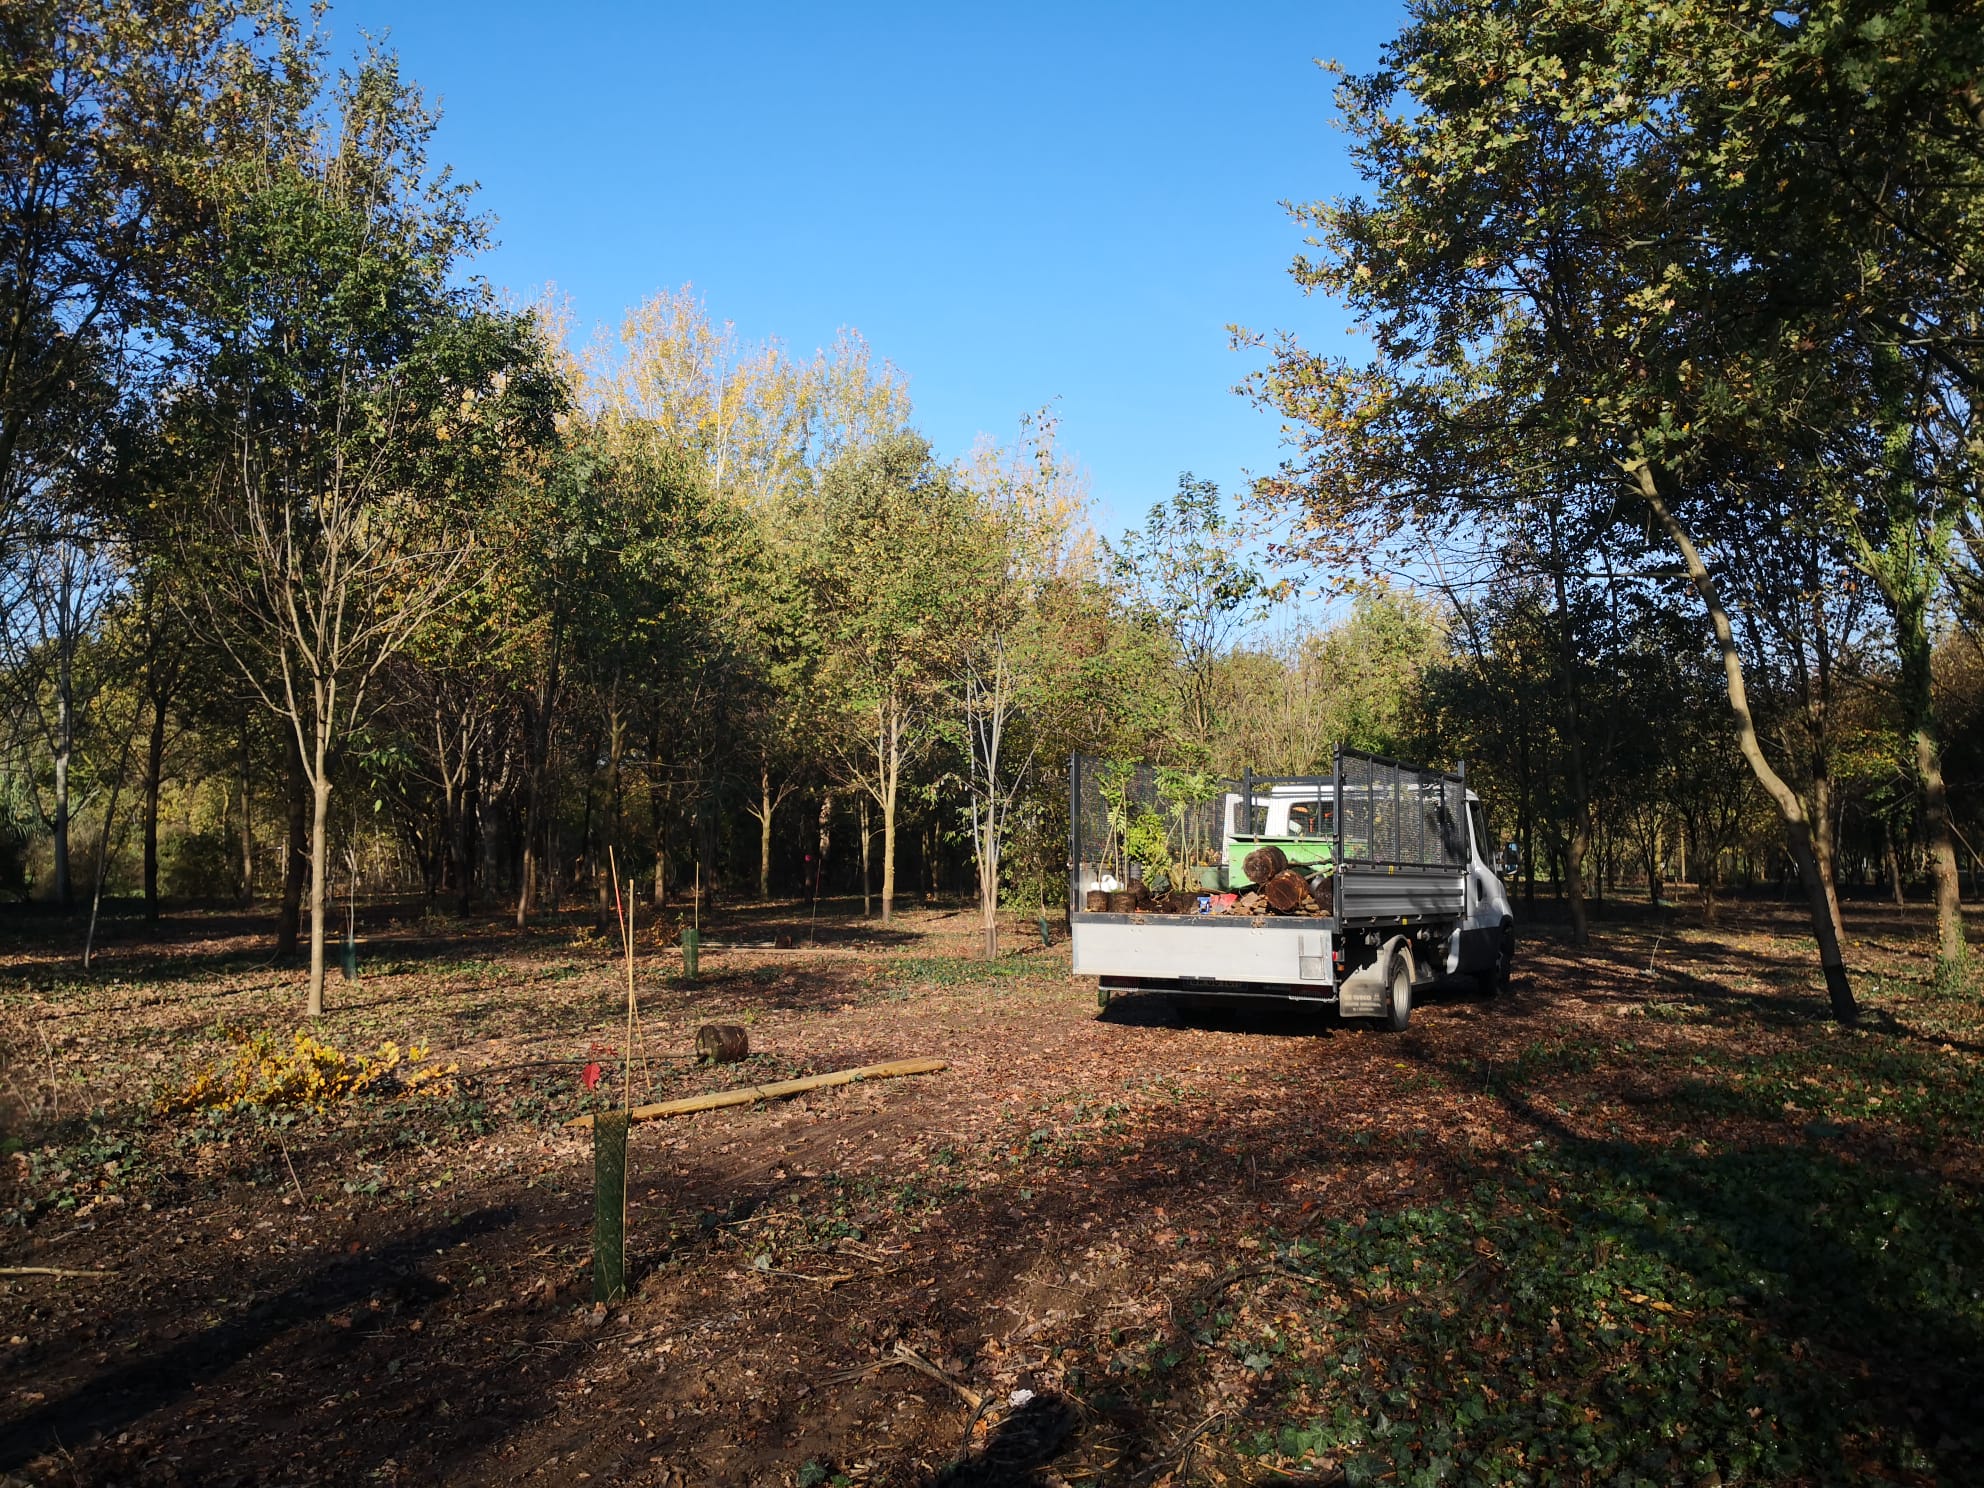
1650,1219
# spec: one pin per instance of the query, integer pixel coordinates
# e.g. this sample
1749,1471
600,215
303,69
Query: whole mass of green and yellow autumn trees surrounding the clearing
328,572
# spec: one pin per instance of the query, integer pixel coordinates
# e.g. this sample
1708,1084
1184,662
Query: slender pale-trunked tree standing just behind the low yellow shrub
356,406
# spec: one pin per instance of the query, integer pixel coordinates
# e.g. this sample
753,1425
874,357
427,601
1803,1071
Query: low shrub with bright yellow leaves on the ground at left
307,1072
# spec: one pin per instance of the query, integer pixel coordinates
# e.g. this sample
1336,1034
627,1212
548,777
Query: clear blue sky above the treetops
1013,203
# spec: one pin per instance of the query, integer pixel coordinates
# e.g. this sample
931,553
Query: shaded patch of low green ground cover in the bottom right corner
1618,1316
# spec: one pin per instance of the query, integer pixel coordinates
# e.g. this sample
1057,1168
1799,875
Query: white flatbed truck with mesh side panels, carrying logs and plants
1406,852
